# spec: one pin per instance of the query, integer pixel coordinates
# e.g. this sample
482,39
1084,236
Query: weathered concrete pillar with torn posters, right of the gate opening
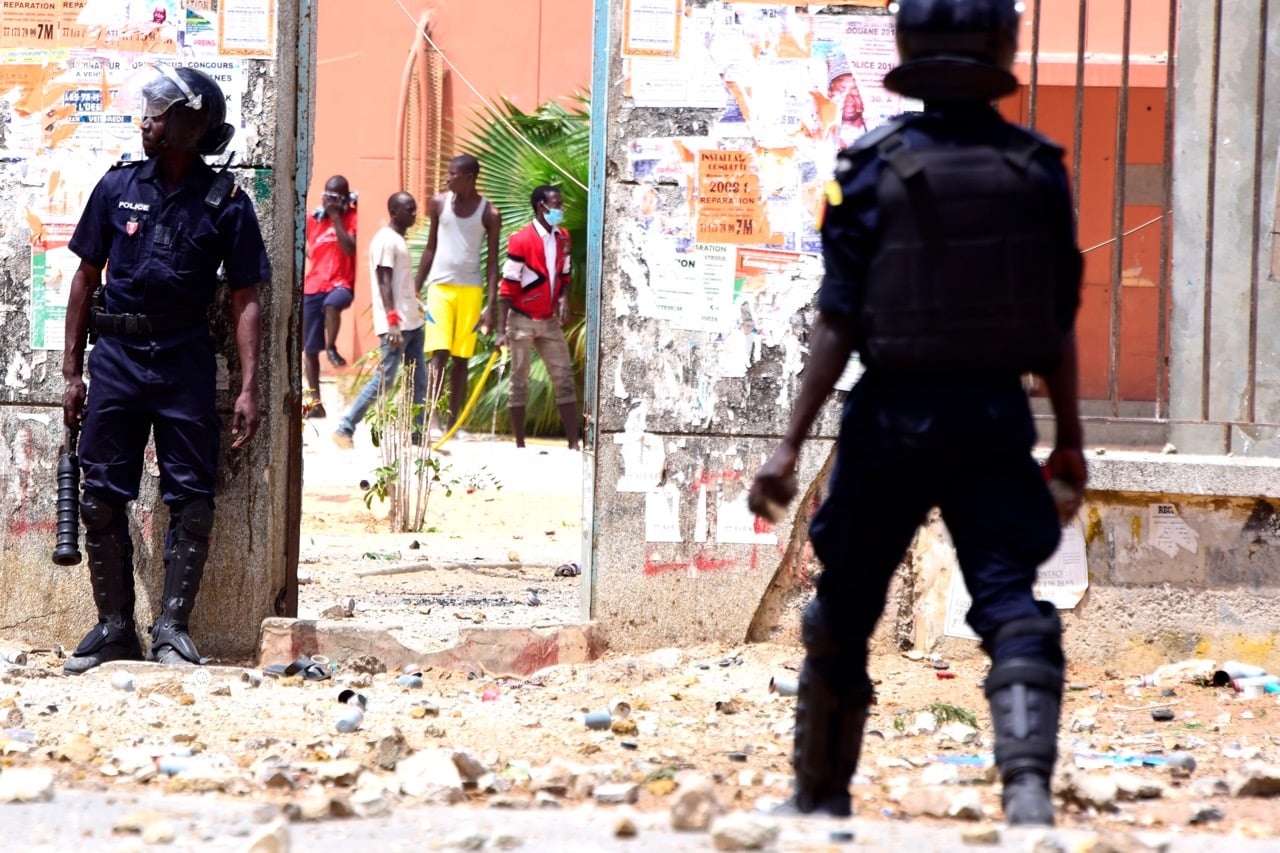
702,340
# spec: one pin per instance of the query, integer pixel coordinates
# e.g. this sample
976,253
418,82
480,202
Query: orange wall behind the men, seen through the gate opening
527,51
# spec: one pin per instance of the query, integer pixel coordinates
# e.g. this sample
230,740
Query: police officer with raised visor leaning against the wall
158,232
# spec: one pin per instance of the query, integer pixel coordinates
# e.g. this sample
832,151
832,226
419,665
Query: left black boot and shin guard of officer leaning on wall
111,565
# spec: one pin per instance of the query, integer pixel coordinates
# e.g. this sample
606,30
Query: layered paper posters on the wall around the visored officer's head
63,65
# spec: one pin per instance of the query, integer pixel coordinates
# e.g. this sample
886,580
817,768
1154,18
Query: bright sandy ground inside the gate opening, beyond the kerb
499,524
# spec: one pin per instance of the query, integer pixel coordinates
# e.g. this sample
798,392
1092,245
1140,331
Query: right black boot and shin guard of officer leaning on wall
184,568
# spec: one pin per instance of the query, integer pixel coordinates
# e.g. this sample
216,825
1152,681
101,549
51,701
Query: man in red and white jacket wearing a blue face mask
533,305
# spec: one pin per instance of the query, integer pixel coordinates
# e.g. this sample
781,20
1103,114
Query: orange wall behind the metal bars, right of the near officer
1139,359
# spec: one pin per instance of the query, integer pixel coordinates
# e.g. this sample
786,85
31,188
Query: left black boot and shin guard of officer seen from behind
831,714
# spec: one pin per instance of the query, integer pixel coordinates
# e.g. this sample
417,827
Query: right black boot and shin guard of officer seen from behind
1026,697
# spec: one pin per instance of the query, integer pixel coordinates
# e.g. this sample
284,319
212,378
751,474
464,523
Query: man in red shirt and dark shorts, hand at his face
330,285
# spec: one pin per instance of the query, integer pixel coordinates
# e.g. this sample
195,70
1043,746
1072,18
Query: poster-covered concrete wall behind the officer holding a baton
63,124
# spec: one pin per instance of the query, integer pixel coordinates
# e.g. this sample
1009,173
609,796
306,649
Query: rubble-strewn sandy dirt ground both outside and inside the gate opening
705,709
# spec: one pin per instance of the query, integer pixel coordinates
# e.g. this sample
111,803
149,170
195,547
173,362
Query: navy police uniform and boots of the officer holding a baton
152,371
